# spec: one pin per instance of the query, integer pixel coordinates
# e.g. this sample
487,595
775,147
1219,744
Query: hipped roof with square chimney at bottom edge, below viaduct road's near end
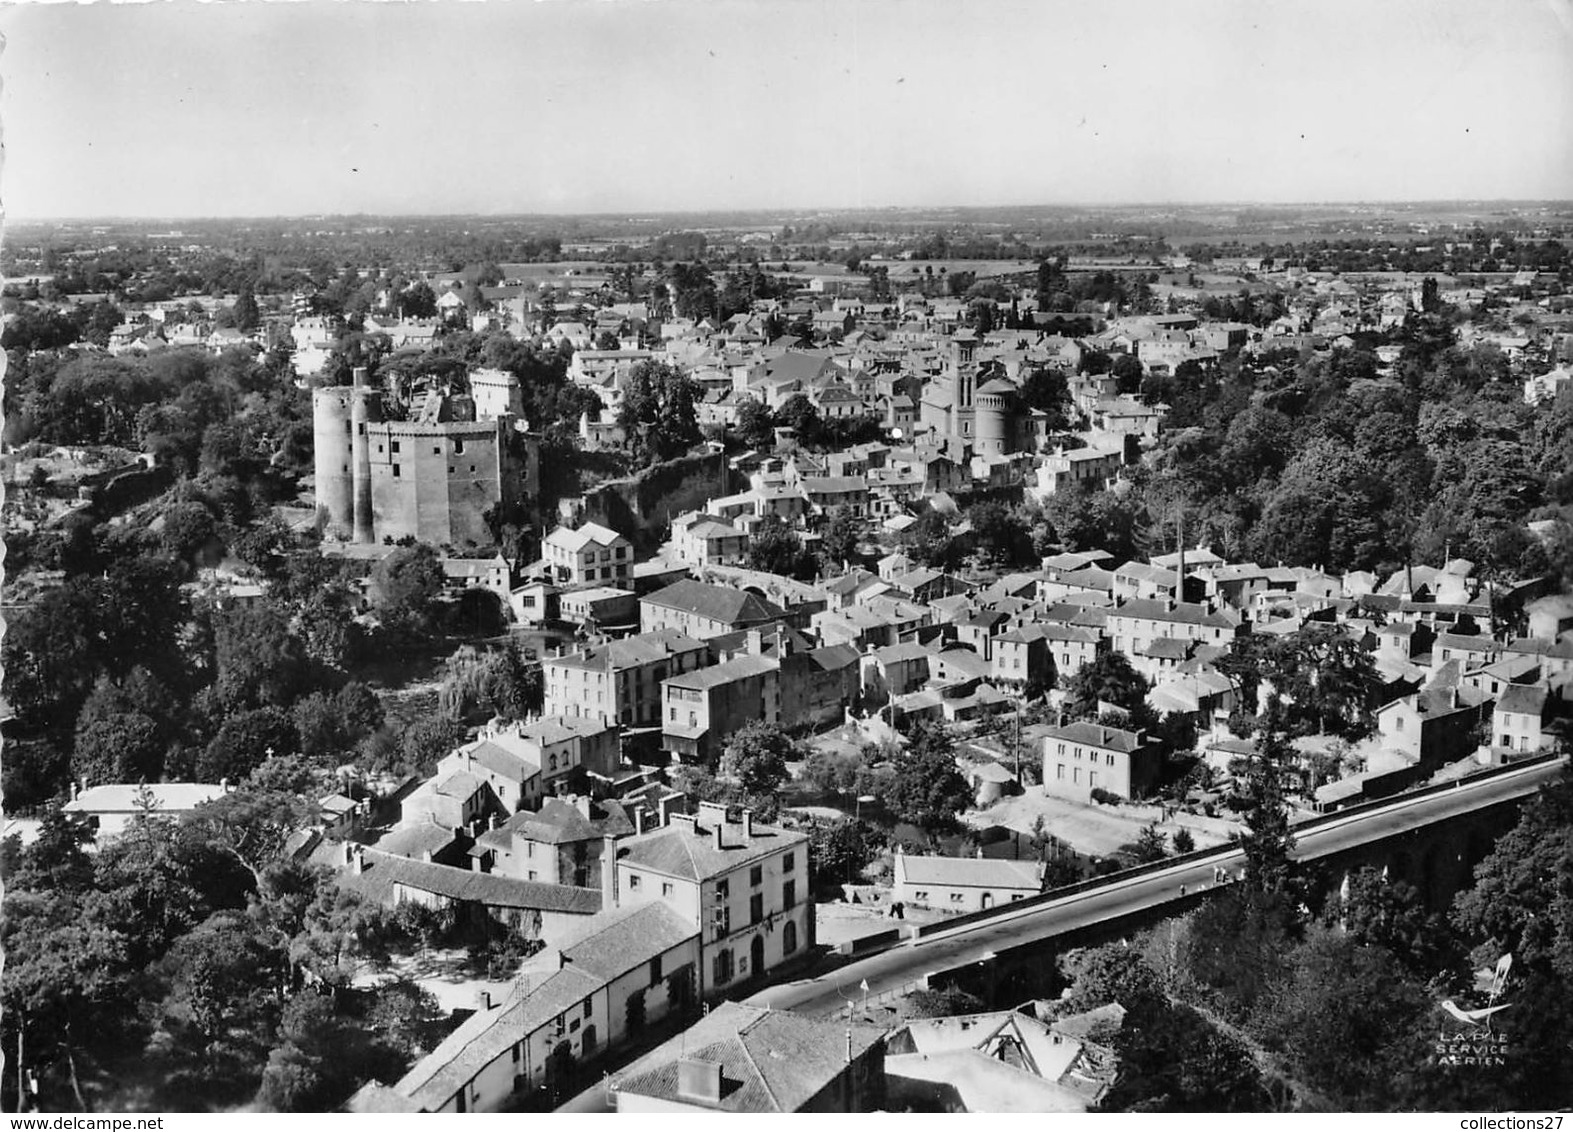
770,1060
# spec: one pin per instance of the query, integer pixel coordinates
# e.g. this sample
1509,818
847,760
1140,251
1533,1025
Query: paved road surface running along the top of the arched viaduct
974,943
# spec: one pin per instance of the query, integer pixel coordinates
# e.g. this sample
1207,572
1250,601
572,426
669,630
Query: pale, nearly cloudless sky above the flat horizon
241,108
